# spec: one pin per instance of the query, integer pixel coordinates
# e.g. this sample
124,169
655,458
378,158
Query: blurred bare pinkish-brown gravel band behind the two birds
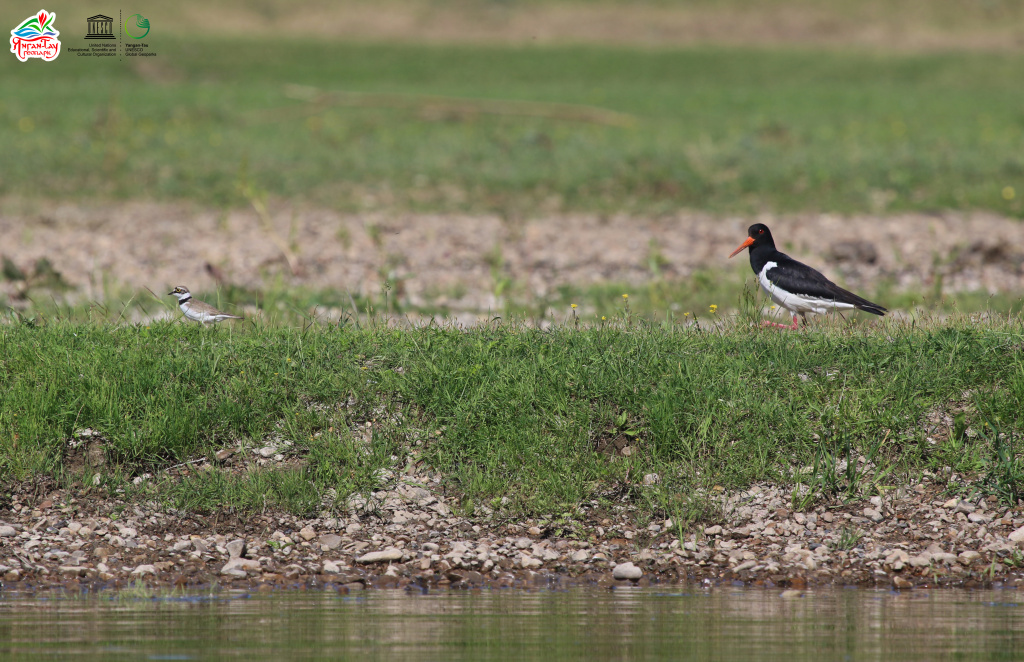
455,261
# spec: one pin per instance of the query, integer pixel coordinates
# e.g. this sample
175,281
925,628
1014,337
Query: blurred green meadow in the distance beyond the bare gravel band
730,131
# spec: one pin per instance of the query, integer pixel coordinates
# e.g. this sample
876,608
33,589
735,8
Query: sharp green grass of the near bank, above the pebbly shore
516,420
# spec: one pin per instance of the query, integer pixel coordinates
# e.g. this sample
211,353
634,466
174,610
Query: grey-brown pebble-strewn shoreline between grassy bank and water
408,536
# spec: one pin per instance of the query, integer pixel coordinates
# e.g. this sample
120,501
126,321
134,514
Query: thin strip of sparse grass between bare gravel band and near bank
656,300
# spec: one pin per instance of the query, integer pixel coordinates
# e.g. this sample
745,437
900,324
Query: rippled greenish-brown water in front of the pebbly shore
720,624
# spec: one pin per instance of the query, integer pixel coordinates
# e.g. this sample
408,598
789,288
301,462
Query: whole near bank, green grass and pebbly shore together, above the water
852,453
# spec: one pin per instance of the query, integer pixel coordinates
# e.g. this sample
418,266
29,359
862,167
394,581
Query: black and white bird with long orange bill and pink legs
794,285
